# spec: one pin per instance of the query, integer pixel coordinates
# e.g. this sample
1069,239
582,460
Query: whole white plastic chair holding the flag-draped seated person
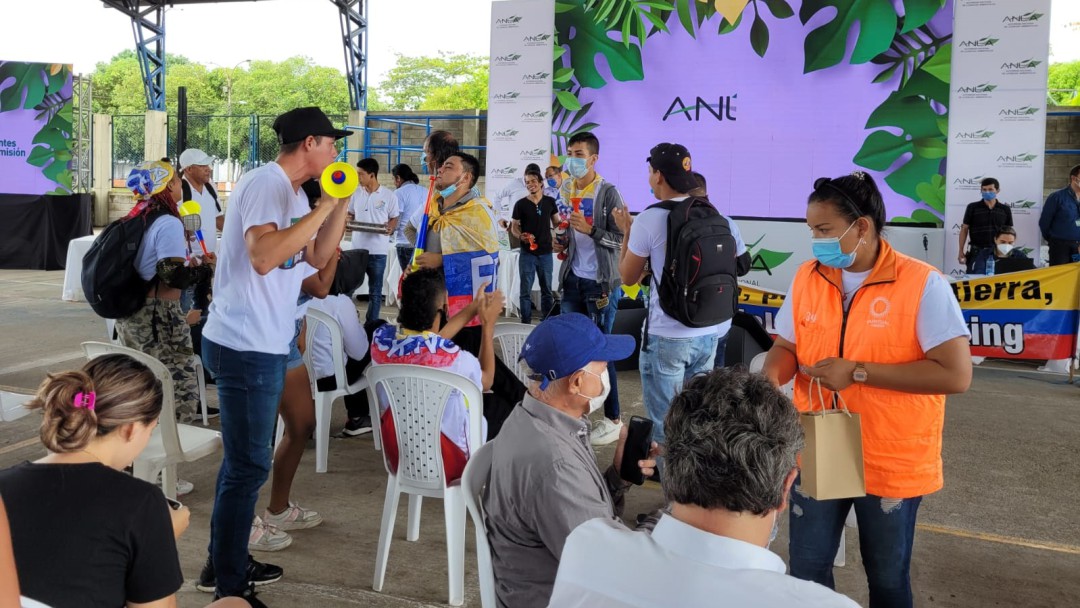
417,398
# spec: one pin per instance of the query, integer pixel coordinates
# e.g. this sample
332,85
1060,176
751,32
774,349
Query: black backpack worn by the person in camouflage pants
110,278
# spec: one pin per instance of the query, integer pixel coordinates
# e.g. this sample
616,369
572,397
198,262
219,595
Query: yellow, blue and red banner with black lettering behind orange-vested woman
1032,315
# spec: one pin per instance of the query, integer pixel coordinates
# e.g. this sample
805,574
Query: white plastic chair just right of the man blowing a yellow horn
325,400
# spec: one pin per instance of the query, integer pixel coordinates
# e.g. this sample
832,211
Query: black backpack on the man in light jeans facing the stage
699,283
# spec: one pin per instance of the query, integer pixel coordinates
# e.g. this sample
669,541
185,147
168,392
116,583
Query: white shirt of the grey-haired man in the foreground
686,568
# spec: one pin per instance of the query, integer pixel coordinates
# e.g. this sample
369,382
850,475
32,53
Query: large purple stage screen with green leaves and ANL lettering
762,129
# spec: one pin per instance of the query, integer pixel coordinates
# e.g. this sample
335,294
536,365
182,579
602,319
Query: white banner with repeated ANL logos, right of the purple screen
997,123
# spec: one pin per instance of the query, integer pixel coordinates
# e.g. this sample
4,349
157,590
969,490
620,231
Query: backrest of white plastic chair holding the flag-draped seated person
417,399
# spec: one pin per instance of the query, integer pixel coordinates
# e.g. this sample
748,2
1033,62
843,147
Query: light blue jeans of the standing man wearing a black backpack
666,364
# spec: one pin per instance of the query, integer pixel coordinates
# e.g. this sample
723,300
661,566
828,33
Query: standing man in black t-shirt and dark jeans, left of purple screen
535,217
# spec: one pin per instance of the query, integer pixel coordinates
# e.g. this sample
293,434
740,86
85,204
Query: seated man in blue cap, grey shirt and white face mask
545,481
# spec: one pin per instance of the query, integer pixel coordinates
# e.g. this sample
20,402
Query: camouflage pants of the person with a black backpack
160,331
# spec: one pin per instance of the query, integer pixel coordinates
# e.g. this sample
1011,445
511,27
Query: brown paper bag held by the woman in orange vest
833,458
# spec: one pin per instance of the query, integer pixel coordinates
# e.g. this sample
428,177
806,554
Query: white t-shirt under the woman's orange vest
940,319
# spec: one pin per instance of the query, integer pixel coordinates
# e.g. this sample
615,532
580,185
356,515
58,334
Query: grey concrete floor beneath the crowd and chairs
1004,532
